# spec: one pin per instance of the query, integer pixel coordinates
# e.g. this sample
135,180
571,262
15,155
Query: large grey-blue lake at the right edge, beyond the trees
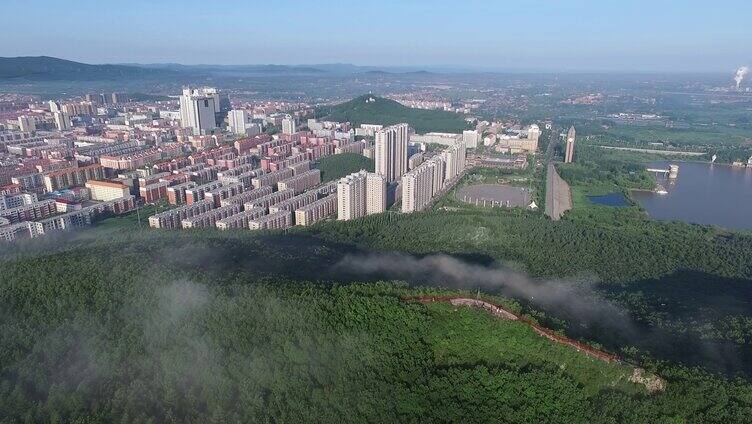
703,194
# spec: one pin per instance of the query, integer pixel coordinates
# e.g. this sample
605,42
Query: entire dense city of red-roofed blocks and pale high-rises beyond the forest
64,165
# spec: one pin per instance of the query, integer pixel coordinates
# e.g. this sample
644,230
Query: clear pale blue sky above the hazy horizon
623,35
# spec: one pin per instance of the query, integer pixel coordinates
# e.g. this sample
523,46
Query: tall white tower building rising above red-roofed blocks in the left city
198,110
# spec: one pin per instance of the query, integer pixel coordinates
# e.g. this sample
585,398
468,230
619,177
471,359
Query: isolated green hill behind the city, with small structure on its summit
369,109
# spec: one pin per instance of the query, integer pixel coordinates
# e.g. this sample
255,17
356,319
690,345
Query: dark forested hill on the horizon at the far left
45,68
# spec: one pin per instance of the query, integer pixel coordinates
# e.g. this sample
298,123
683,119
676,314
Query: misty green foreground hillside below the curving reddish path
212,326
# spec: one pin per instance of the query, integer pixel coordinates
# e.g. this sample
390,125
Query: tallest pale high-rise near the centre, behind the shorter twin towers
391,151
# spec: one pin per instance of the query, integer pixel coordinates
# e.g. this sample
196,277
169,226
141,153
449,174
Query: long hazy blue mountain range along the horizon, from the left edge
45,68
